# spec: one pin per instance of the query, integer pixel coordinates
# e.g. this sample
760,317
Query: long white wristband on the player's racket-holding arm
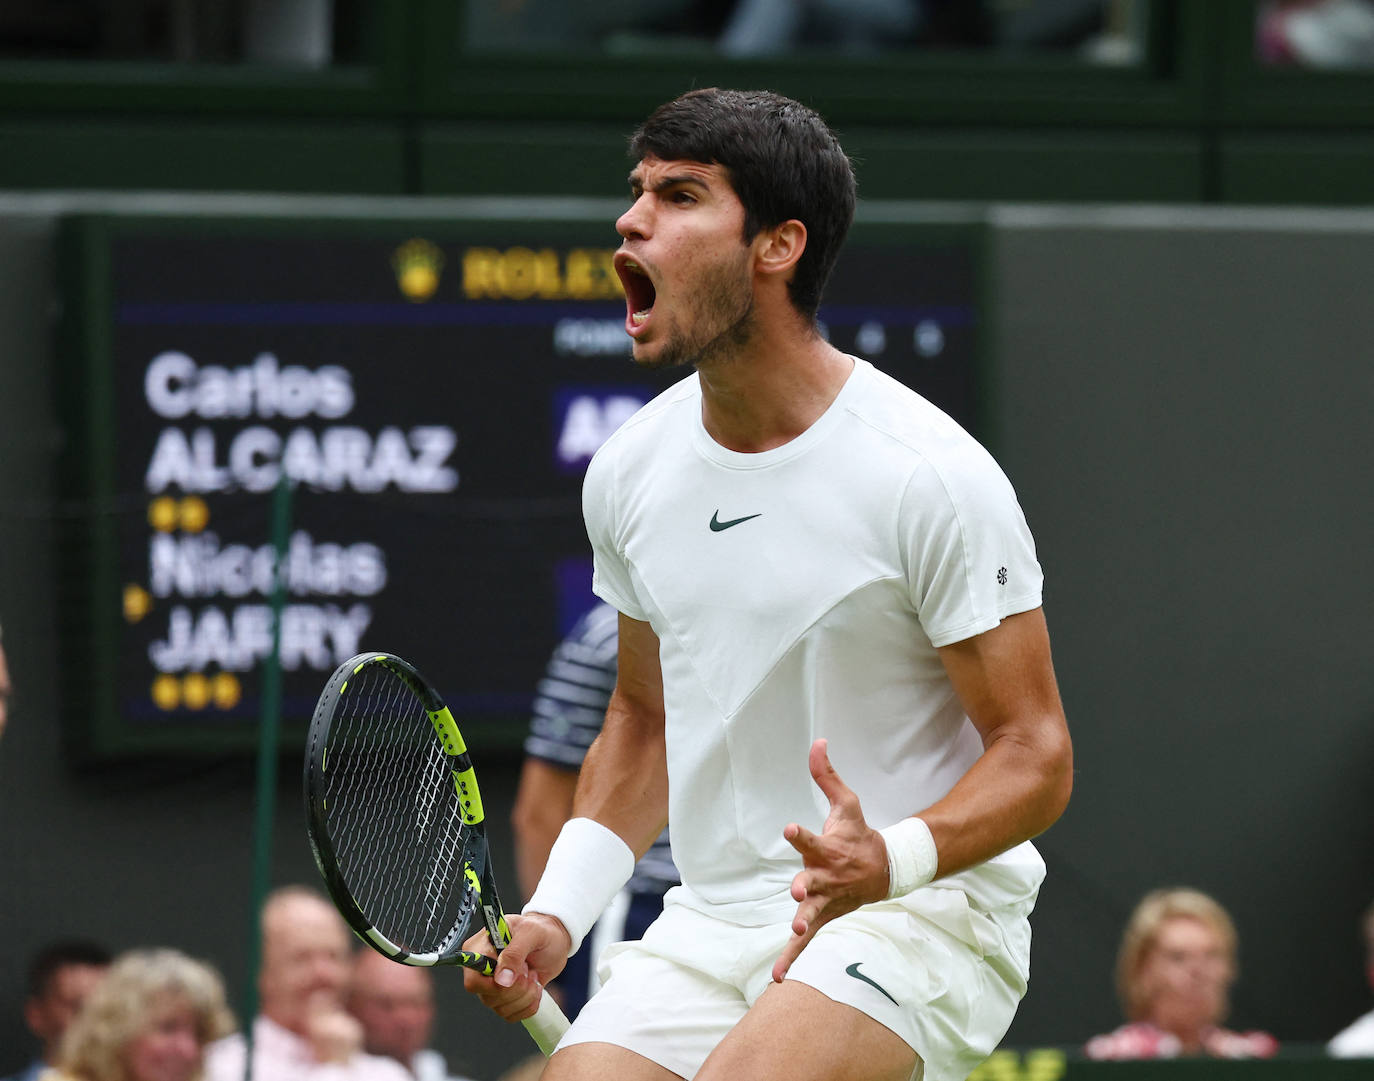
587,867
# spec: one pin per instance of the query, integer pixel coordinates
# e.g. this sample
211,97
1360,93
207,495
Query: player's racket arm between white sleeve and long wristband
624,778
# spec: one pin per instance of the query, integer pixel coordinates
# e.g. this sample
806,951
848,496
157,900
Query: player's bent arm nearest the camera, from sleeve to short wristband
1022,784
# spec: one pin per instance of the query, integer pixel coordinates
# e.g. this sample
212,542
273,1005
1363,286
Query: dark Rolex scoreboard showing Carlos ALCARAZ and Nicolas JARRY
432,392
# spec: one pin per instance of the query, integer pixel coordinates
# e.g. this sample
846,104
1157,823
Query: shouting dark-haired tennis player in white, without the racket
835,674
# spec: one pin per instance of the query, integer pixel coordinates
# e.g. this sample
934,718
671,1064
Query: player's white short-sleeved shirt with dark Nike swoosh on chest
800,594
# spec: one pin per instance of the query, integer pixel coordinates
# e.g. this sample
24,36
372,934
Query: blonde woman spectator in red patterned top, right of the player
1175,969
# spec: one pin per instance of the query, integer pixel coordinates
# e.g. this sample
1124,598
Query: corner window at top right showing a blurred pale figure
1317,34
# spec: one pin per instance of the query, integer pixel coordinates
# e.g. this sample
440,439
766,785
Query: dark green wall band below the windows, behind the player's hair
1196,122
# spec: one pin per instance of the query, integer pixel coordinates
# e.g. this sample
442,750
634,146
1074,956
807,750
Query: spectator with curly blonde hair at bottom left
149,1020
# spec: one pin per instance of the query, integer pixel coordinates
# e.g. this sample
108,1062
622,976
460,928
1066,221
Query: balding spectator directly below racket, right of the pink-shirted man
395,1005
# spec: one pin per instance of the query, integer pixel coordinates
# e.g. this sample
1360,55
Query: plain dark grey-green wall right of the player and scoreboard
1184,402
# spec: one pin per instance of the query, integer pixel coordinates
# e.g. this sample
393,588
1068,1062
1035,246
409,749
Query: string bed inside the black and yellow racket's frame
394,815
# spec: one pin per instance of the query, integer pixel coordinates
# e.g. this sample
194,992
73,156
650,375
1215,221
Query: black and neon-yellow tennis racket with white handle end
396,823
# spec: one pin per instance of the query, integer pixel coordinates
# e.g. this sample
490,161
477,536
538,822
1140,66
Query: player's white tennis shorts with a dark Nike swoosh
947,979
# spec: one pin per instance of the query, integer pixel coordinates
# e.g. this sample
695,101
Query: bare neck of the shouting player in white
773,391
